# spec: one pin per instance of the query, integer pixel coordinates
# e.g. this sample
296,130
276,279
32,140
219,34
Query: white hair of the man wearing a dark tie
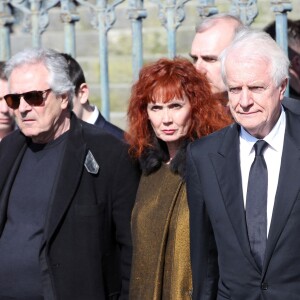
258,44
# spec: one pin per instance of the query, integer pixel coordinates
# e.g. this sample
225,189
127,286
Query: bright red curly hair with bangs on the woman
169,79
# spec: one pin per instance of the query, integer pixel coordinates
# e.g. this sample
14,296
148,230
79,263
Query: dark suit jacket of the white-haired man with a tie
222,265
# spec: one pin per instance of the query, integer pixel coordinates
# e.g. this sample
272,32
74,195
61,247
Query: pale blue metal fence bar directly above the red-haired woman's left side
136,13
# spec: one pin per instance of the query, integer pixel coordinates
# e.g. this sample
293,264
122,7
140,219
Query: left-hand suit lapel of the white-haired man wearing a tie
228,171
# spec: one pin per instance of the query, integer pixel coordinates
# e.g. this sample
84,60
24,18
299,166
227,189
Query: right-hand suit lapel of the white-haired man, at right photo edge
288,184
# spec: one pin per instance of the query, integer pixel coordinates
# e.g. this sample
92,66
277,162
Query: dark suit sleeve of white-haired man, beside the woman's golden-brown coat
204,257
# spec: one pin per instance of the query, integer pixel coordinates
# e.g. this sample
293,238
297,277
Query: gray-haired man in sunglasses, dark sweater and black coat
66,192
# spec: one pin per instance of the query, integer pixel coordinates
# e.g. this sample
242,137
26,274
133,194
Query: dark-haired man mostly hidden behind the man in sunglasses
81,105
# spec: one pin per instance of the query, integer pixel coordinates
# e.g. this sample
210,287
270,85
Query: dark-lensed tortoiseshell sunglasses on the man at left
33,98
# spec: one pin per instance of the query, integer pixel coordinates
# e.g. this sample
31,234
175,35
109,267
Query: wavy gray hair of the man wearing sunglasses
59,79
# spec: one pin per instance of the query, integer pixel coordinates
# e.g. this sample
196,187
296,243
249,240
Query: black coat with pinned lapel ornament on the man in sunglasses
87,236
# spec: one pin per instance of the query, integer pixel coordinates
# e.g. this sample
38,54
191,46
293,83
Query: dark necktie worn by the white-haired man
256,204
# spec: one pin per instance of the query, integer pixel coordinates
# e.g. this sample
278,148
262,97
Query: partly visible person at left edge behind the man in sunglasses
7,121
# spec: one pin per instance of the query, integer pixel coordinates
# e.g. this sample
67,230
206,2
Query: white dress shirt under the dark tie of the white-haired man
272,157
